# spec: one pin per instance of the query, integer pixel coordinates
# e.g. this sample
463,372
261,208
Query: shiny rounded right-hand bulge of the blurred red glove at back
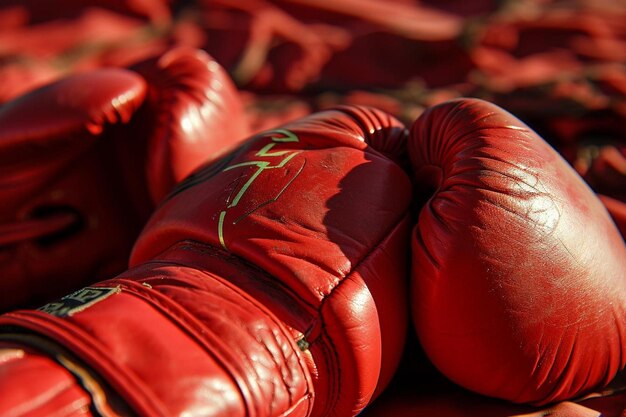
195,116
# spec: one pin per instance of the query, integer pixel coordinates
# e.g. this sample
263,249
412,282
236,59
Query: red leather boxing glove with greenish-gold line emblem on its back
270,283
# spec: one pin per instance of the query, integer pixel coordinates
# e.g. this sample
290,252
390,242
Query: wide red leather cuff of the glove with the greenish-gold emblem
225,344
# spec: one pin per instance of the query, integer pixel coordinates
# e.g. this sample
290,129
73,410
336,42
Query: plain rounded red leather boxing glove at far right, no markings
519,274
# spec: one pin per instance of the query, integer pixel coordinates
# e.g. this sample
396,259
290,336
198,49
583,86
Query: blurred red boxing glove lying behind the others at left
83,161
